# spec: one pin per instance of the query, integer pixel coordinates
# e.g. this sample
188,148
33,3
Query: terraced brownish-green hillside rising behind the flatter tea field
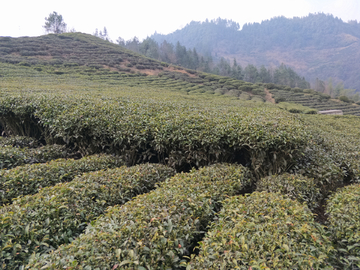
74,56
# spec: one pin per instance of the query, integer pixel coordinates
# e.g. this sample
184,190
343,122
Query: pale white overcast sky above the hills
141,18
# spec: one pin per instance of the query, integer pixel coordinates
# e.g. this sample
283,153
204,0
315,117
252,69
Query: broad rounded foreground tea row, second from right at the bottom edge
264,231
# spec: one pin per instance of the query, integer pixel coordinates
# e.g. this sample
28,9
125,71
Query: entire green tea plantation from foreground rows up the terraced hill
110,160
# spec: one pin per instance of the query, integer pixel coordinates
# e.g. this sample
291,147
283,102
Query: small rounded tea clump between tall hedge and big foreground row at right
296,187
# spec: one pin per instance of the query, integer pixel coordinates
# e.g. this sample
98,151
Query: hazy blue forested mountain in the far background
316,46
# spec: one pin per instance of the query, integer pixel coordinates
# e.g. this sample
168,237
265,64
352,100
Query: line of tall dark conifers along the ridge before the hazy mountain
190,58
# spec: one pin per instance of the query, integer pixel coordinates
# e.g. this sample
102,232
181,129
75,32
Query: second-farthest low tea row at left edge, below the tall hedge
11,157
